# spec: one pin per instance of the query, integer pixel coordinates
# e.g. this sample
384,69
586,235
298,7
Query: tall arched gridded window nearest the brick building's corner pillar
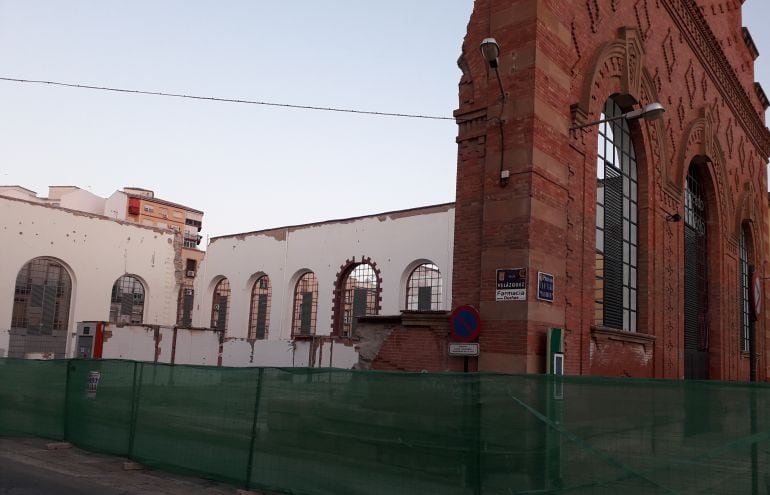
616,224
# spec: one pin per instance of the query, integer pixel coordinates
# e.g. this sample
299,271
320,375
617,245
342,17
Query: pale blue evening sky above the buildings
247,167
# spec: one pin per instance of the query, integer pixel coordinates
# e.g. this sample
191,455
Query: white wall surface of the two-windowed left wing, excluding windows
95,251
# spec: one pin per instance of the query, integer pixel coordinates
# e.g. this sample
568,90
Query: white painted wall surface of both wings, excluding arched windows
97,250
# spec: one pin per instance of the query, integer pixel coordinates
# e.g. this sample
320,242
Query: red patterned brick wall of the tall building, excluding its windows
560,60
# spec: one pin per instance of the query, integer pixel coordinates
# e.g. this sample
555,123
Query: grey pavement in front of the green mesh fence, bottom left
28,467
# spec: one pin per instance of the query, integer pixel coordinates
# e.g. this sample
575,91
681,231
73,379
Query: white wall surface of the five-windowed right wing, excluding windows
395,242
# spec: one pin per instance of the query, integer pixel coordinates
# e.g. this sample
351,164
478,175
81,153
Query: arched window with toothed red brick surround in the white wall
358,297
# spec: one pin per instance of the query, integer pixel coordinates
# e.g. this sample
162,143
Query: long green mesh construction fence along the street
326,431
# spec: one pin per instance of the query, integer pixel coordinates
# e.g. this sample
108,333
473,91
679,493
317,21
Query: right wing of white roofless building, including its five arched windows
274,287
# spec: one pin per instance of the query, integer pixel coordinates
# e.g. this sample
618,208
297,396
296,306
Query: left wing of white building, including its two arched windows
61,267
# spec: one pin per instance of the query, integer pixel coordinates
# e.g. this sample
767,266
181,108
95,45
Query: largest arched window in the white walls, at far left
41,305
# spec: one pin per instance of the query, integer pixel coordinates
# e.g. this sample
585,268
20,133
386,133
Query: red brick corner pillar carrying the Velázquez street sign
522,224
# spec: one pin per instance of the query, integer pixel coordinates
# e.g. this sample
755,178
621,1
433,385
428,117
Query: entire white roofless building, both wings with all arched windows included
287,296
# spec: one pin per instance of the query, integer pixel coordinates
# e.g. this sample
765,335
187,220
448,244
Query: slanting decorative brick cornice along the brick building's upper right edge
693,24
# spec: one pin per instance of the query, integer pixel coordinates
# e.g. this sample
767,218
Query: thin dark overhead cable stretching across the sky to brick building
225,100
